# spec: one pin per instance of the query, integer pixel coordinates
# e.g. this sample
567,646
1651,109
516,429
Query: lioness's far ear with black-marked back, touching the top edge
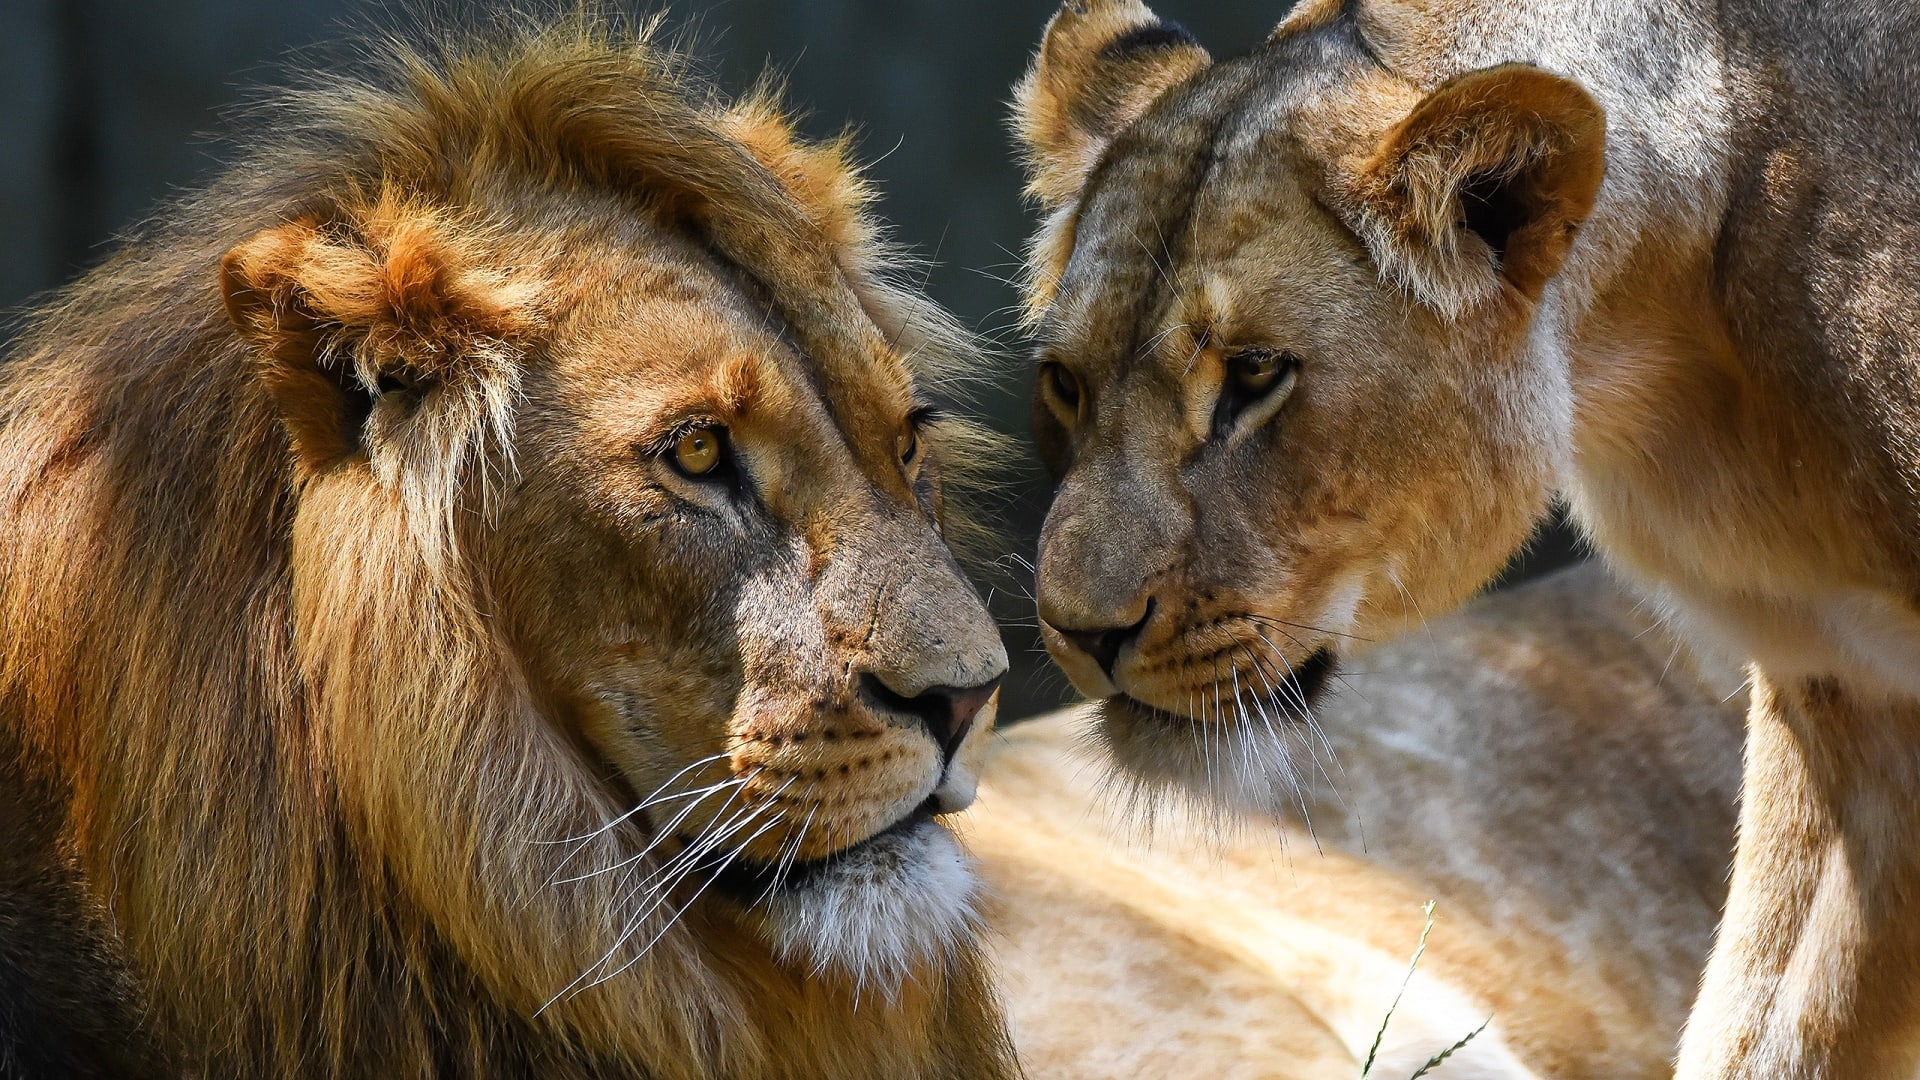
1099,68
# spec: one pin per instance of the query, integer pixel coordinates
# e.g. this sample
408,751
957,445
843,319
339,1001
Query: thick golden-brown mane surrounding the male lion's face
208,704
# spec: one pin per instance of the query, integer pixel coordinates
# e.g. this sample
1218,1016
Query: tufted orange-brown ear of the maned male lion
360,318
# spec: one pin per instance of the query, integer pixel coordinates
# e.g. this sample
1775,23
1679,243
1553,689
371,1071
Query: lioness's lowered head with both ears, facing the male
1274,439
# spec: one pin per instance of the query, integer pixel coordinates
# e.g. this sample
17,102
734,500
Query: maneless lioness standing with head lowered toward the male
1324,328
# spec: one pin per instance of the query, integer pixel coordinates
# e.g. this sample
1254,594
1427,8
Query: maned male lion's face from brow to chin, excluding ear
727,574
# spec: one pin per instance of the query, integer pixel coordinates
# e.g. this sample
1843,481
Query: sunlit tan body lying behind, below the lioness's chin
1441,773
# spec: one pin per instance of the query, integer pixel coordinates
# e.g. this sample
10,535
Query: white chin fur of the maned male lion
882,912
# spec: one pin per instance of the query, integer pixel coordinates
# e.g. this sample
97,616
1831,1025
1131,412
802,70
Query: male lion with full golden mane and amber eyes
473,604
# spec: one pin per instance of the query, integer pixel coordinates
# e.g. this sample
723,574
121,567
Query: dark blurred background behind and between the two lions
107,107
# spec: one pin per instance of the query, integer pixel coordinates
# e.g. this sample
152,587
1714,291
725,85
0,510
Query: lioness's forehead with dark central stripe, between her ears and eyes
1176,239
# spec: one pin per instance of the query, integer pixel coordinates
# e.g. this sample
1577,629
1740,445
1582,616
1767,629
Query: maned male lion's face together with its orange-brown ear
711,556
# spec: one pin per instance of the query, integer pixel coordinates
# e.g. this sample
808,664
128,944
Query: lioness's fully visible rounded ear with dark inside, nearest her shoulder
1485,182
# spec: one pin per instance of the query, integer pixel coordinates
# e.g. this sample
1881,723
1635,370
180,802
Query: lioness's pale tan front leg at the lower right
1817,964
